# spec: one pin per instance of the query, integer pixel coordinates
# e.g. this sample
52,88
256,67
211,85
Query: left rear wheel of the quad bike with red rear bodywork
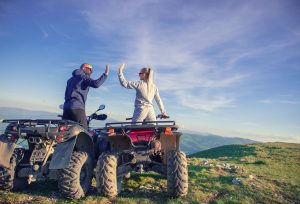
107,181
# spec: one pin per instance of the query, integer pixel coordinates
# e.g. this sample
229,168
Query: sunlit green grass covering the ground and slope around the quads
256,173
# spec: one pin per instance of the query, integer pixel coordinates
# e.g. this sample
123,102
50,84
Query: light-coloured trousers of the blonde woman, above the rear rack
143,113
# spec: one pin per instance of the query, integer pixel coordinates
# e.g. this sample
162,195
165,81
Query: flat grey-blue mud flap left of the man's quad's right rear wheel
62,154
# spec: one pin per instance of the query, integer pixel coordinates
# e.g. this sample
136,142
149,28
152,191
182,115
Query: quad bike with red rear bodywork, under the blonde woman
142,146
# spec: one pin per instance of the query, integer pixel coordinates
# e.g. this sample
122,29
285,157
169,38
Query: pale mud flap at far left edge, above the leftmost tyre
6,151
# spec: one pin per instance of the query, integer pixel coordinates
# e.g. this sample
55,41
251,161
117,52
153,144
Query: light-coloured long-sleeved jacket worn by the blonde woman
142,97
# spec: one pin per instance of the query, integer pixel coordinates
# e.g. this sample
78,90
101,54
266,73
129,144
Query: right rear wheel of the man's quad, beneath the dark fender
75,180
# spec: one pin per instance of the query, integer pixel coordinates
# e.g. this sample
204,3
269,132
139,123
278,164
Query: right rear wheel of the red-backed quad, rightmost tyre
177,174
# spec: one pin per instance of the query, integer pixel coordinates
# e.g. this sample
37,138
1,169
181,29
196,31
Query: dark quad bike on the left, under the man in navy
62,150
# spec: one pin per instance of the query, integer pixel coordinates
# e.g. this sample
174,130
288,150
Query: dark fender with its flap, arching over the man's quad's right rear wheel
63,151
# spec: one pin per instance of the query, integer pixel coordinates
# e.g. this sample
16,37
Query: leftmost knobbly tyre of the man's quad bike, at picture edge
8,179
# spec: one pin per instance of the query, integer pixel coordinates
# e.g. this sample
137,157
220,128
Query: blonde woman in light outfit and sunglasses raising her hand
145,92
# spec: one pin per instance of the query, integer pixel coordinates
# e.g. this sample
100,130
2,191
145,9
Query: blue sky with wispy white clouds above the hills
230,68
